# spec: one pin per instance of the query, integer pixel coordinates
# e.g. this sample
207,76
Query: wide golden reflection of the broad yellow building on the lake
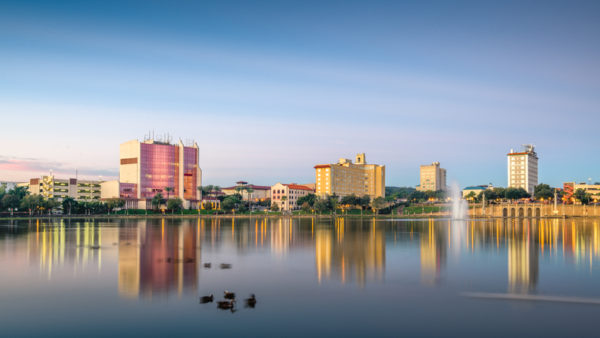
350,255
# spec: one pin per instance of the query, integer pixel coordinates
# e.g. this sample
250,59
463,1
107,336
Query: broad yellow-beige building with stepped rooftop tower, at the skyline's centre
346,178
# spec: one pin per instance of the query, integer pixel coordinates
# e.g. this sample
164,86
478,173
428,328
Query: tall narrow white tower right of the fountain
523,168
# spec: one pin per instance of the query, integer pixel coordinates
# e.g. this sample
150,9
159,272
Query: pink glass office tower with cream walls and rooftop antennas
151,167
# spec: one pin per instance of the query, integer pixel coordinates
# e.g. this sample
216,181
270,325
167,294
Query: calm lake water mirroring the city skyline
311,277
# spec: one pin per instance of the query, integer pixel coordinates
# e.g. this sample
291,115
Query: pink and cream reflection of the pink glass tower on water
156,259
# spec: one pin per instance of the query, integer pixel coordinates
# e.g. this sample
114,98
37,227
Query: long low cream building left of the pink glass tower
57,188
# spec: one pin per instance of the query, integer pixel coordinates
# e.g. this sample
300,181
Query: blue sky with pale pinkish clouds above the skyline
268,89
